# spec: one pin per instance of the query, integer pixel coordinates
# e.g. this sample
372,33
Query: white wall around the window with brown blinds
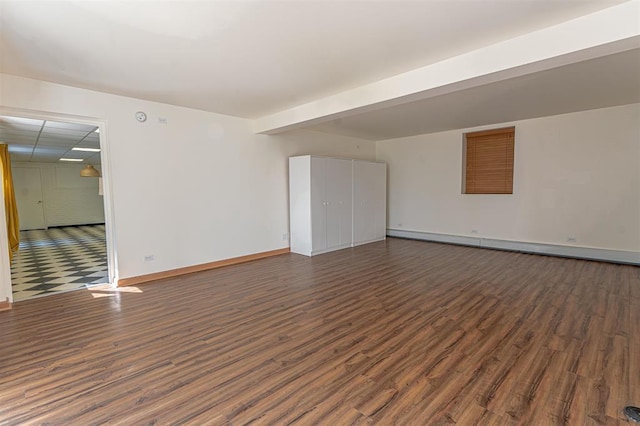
576,175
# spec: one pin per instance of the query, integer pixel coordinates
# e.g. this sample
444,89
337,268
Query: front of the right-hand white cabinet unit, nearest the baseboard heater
369,201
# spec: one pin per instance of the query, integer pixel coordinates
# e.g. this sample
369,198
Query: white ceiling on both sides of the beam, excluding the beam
255,58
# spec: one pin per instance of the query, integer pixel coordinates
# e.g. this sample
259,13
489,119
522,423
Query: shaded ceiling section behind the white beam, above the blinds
598,83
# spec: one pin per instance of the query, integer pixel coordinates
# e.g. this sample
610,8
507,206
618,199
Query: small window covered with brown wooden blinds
488,165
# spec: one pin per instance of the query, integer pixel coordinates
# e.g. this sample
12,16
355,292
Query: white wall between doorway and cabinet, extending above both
200,188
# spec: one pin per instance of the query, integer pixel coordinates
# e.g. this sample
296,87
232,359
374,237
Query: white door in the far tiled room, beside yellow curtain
27,185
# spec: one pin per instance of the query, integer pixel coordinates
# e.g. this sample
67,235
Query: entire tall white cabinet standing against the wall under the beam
321,203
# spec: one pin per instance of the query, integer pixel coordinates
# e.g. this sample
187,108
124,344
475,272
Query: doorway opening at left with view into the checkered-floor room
65,234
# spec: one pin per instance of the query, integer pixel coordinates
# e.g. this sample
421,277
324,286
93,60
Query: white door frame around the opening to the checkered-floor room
105,156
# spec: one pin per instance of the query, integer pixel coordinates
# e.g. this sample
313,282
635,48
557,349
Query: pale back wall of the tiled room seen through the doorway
68,198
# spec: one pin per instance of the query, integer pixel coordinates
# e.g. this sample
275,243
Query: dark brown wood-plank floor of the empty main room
399,332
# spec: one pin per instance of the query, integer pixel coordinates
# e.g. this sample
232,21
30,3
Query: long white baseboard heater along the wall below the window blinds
606,255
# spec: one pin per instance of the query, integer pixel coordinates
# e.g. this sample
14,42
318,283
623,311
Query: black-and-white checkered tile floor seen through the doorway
59,259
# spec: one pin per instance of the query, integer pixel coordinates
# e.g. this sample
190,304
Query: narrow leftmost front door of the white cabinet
318,204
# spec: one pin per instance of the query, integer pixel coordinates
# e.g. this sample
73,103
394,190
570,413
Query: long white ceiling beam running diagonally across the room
602,33
